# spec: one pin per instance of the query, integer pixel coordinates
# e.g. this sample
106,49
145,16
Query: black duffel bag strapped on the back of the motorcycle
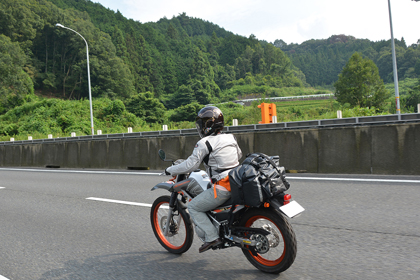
257,179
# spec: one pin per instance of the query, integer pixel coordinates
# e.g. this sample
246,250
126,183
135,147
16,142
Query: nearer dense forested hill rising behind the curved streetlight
180,60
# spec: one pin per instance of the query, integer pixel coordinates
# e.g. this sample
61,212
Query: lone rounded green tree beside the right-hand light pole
359,84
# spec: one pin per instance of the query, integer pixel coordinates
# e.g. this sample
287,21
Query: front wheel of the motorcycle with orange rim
180,233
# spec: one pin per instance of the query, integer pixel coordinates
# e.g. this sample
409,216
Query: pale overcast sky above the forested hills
292,21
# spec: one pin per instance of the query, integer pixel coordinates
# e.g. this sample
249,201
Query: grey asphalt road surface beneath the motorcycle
368,228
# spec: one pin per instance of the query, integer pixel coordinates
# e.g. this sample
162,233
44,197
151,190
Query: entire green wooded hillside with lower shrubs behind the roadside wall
146,74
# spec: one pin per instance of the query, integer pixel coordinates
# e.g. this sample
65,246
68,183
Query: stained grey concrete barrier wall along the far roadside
375,149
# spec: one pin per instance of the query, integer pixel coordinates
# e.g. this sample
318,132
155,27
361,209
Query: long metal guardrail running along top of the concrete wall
372,120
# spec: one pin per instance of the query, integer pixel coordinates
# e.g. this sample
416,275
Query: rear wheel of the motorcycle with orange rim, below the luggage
276,251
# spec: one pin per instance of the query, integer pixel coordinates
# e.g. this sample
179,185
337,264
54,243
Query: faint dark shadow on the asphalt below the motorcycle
148,265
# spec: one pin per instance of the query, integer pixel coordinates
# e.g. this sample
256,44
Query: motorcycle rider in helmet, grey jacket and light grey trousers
220,153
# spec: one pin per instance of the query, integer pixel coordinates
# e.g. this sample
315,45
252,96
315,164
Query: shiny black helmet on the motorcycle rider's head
209,121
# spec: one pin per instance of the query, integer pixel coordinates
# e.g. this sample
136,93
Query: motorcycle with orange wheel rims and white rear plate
264,234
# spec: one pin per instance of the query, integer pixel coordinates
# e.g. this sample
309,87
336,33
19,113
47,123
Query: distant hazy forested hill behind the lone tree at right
322,60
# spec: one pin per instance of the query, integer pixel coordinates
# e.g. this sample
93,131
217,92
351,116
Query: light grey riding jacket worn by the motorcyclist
219,153
